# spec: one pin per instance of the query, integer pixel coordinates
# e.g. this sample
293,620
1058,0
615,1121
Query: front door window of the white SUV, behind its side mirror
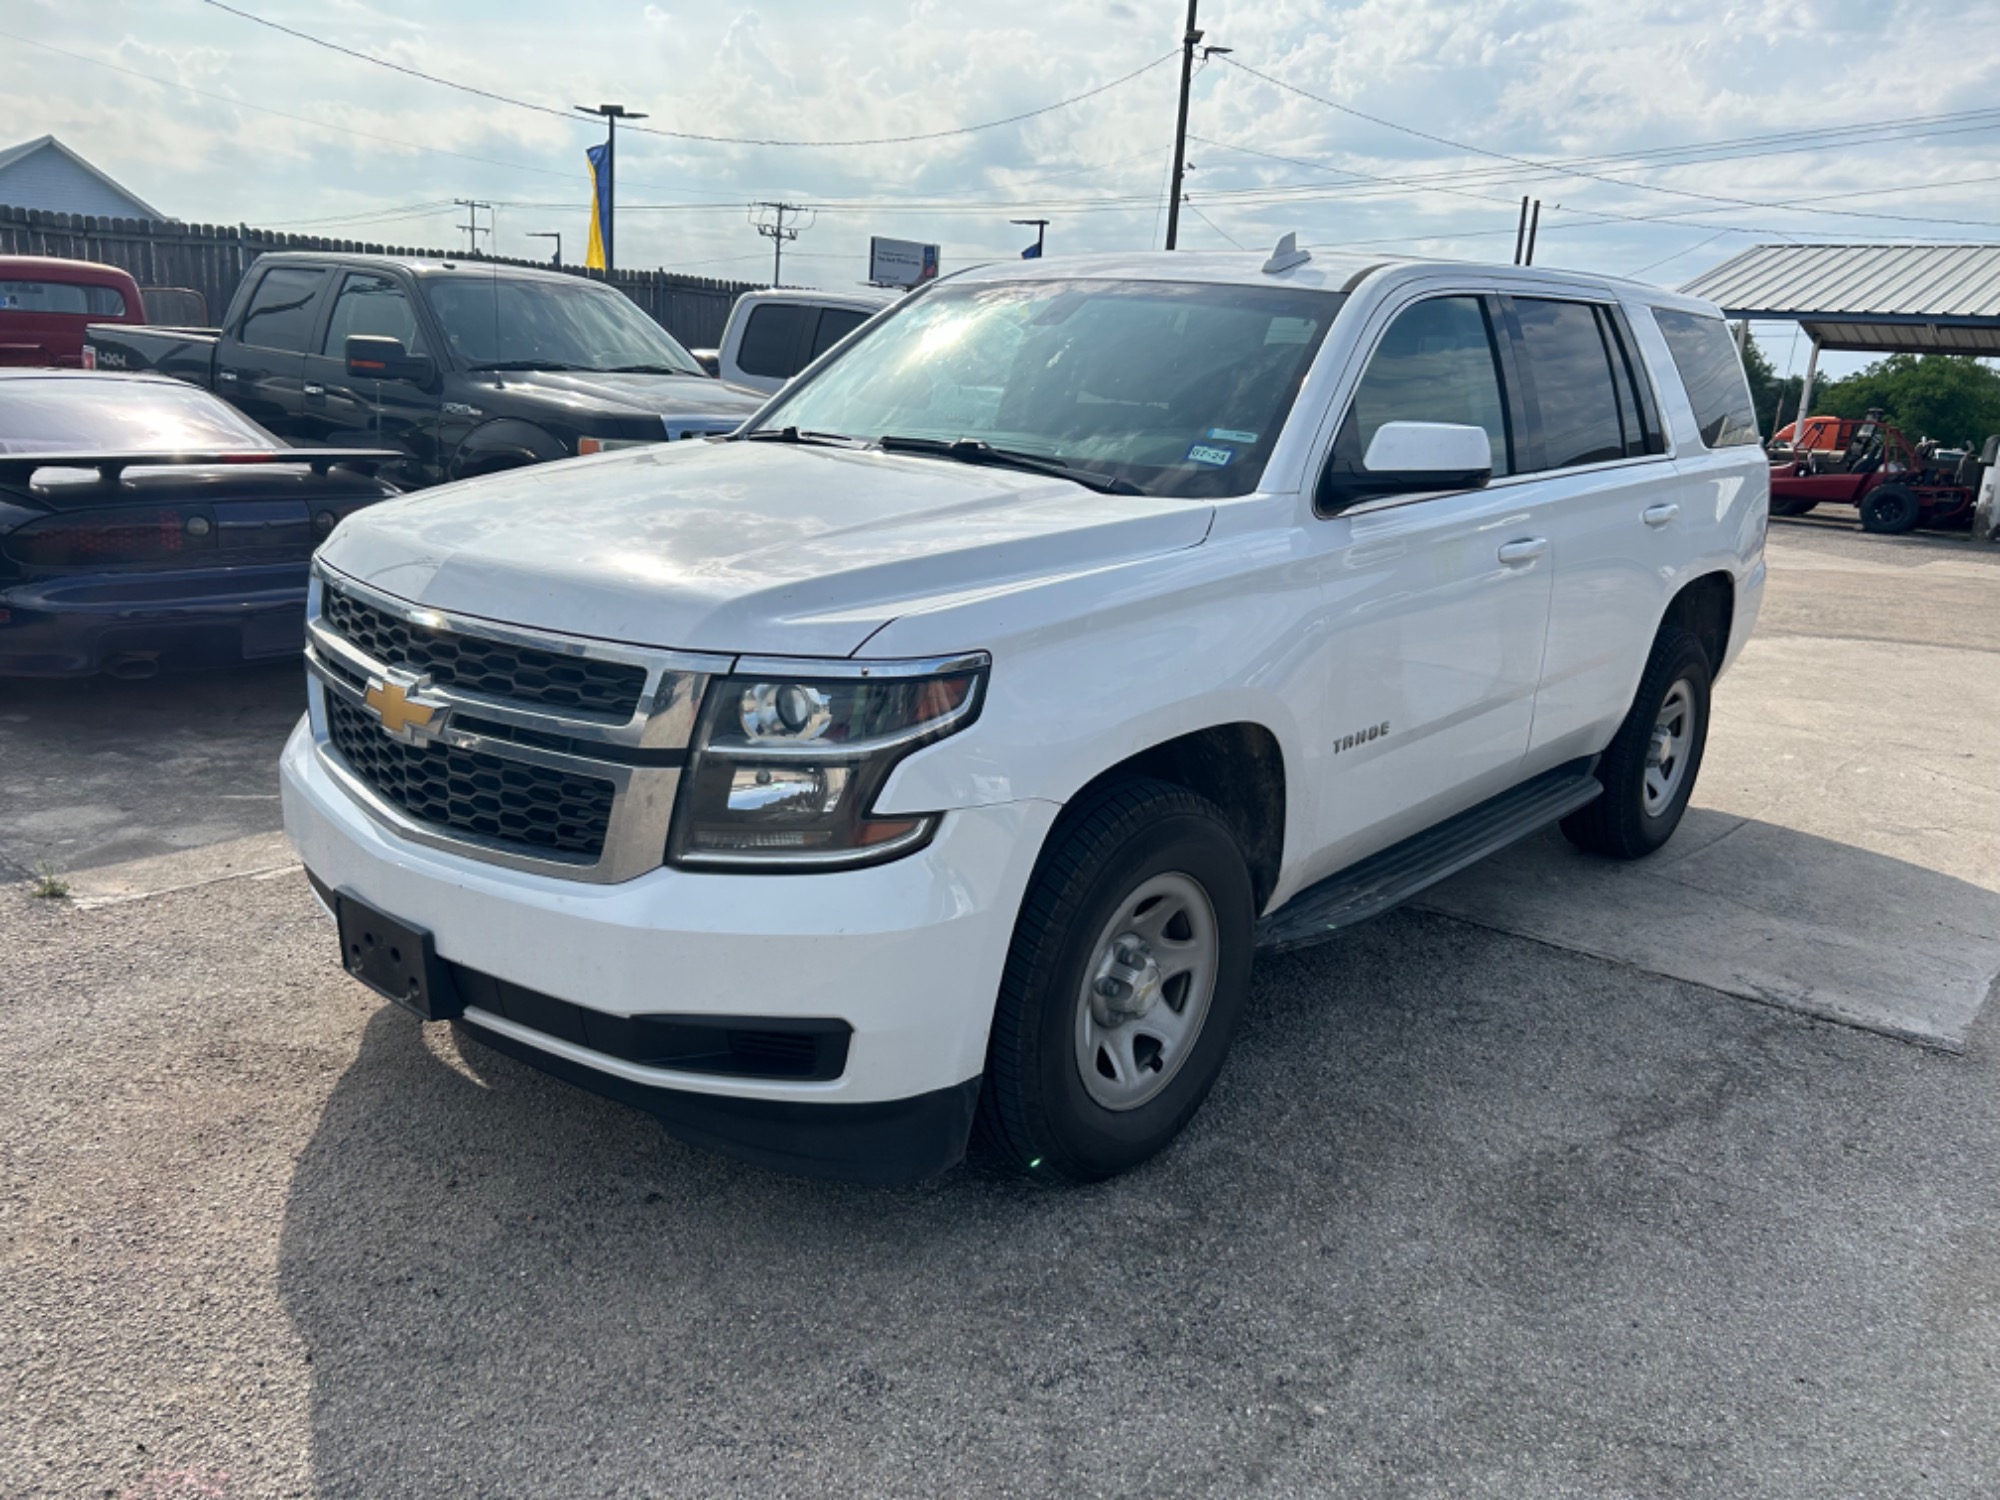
1437,363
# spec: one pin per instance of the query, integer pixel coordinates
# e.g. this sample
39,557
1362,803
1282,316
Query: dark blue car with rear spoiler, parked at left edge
149,525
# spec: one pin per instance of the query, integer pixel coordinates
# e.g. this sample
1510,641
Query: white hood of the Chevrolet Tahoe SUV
737,547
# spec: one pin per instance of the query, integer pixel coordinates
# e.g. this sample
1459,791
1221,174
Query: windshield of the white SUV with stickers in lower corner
1171,387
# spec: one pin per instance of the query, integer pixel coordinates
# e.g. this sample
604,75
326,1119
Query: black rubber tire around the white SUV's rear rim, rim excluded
1621,825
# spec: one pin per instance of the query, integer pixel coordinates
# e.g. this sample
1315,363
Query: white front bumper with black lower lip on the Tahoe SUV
907,953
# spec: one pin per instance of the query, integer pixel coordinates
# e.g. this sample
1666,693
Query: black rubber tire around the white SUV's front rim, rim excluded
1035,1111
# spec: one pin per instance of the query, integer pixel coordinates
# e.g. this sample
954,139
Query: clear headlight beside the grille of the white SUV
787,763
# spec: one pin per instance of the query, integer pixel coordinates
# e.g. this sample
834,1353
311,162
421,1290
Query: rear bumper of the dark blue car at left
209,617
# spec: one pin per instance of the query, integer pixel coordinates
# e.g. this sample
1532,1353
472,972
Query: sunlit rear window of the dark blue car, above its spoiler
93,417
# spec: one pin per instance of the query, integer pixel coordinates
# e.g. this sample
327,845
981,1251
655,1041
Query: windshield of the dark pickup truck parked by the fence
525,325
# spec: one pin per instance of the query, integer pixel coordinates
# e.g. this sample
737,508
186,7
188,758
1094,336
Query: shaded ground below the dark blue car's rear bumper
95,771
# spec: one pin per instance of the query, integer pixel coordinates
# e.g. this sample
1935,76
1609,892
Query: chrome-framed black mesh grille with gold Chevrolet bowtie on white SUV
517,747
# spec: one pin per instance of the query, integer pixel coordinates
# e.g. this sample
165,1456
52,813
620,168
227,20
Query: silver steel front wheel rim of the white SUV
1147,993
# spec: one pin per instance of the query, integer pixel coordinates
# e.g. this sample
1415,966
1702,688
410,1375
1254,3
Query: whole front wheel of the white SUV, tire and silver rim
1123,987
